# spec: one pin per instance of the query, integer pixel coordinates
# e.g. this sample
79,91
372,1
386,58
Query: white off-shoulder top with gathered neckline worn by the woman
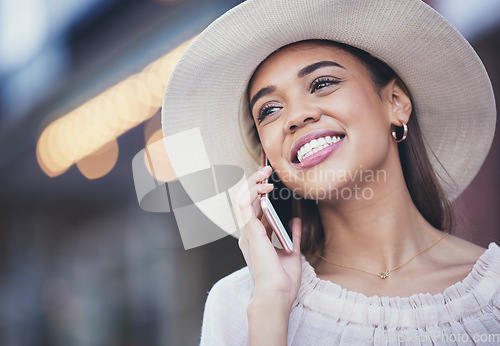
324,313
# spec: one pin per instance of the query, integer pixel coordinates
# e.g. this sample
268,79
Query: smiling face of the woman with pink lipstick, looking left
320,118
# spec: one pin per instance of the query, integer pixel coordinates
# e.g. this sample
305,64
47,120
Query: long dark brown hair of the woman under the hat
421,180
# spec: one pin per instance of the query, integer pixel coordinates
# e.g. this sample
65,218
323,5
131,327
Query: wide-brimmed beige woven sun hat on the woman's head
452,93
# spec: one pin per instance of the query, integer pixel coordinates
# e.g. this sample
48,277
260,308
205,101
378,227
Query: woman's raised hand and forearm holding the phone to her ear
276,273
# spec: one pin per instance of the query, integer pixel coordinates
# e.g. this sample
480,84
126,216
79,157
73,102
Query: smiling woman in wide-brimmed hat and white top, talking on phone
341,128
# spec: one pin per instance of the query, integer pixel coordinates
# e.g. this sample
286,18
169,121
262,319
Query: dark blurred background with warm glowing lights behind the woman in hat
81,84
